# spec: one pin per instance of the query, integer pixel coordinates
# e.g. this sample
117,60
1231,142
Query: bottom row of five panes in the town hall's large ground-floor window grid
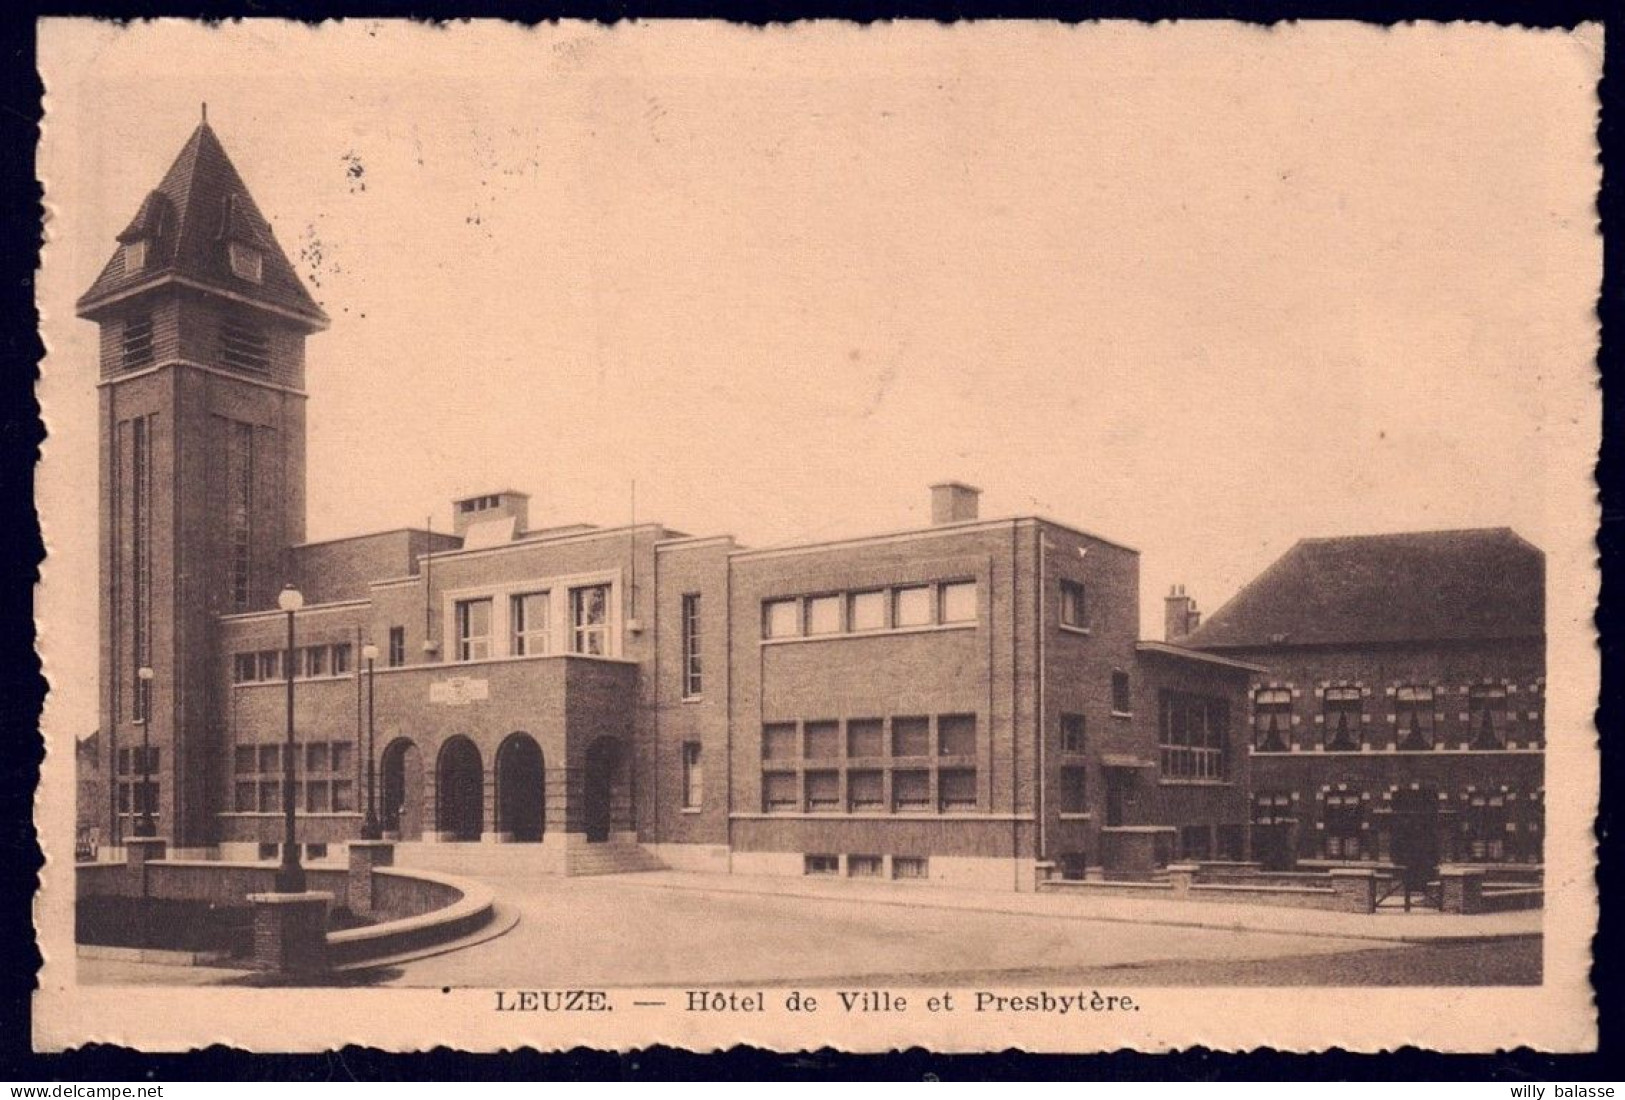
870,792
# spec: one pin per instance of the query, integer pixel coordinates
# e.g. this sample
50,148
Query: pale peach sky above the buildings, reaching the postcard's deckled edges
1194,288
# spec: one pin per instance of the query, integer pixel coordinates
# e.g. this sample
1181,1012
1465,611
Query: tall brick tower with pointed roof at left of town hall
202,475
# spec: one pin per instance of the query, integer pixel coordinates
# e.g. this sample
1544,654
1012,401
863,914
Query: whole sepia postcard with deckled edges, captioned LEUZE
964,537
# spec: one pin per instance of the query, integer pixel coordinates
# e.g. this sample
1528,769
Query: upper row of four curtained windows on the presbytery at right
1416,717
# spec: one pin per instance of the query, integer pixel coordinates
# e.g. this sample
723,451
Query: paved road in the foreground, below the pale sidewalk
635,932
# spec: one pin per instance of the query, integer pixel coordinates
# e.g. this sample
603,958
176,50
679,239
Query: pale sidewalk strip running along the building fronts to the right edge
1384,927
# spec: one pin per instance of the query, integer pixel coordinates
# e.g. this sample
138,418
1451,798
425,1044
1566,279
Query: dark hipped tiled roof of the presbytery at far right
1415,587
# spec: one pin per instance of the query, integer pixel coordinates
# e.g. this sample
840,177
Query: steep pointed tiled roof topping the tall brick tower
189,225
